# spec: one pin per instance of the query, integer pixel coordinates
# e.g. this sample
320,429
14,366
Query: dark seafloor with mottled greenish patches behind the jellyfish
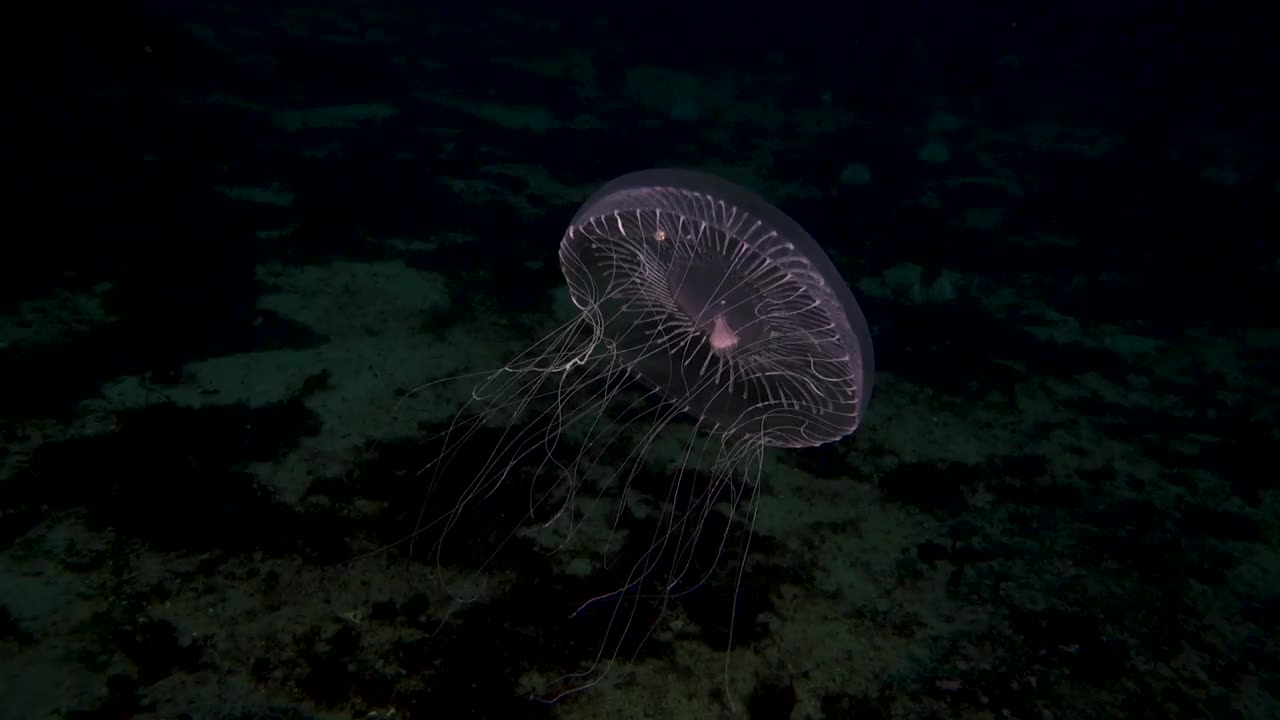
250,229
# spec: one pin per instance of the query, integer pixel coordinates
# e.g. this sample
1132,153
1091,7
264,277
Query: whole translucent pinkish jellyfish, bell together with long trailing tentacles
697,302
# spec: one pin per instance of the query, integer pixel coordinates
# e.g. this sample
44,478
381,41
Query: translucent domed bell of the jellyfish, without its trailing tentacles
724,306
